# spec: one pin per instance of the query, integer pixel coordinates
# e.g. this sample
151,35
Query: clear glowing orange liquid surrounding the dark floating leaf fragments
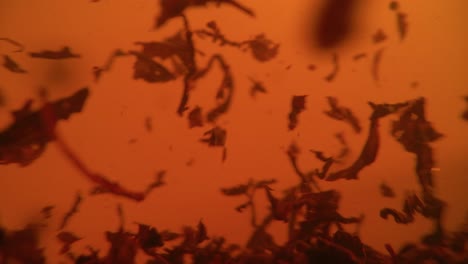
434,54
